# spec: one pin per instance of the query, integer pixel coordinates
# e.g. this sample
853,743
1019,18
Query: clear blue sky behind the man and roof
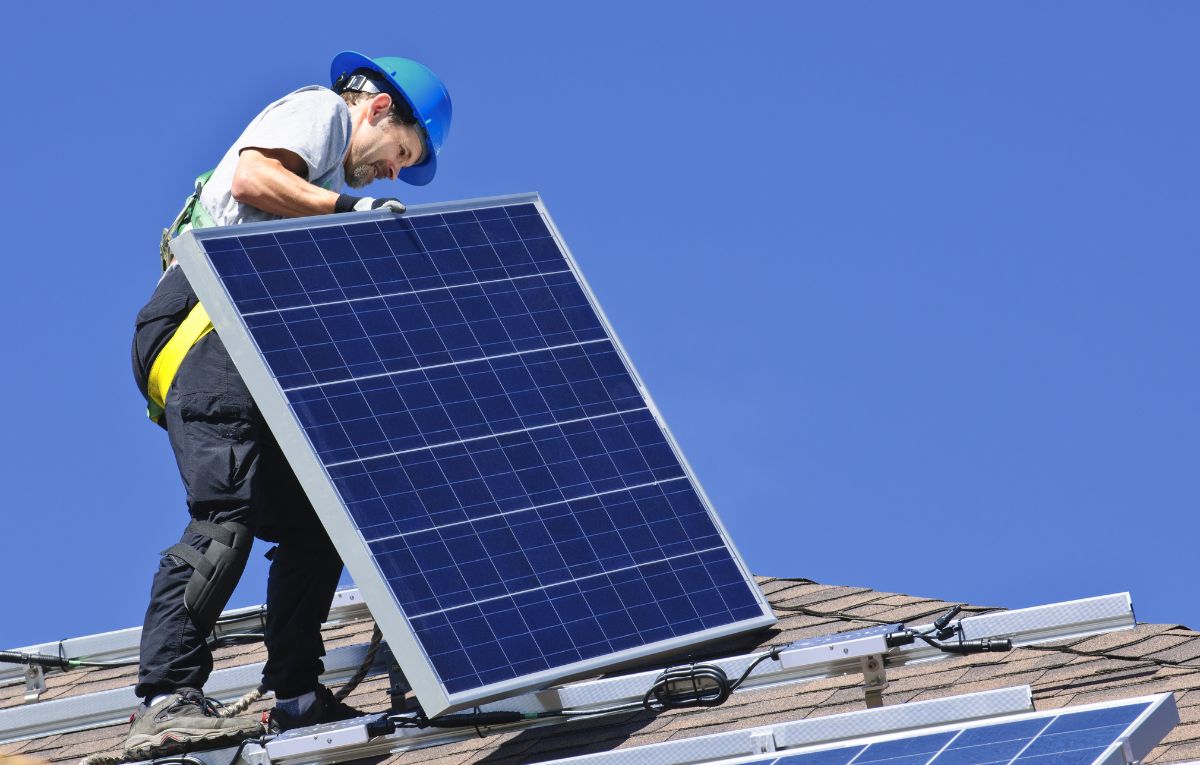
915,285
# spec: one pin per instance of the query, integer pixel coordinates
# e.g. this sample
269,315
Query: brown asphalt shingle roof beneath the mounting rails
1149,659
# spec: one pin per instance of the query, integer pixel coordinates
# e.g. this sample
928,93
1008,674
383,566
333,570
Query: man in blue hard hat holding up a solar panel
385,118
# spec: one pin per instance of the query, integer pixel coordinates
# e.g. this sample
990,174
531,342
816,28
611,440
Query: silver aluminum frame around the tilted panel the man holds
349,540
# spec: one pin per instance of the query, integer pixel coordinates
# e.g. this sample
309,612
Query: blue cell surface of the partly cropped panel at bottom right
1071,738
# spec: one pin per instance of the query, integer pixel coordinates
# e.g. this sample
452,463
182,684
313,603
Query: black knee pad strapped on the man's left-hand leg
215,573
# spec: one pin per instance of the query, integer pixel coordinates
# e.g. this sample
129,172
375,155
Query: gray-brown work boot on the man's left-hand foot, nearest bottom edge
184,722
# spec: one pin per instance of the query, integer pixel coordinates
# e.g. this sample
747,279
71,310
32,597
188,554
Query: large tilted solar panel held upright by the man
476,442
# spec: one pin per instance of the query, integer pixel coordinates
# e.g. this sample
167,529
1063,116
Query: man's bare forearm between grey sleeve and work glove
273,180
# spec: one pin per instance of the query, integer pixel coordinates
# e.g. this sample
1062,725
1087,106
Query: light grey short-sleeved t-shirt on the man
314,123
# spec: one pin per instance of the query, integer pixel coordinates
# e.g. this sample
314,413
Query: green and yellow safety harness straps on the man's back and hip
197,323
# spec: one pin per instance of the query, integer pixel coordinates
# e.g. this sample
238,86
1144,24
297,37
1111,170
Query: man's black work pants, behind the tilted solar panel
235,472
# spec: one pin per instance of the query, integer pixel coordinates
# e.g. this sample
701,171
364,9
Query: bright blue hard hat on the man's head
425,95
